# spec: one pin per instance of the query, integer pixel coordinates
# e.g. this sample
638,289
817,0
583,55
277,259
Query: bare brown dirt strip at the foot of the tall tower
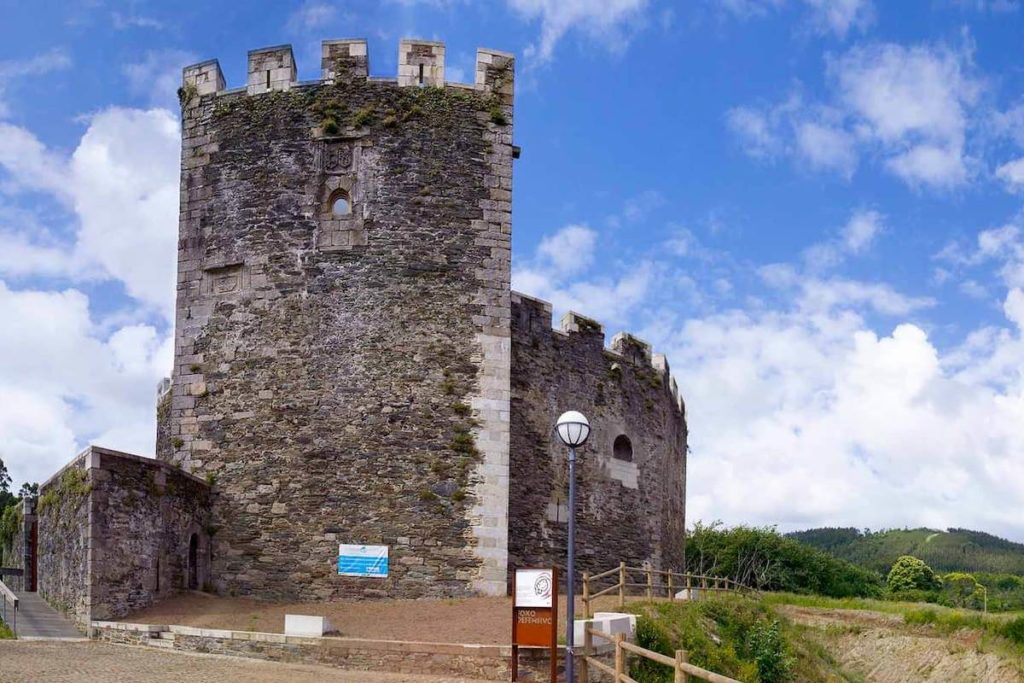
481,621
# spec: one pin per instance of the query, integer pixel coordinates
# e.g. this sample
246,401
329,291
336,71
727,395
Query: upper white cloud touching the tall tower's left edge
122,185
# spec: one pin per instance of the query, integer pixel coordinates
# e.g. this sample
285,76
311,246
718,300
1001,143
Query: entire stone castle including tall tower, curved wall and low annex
353,367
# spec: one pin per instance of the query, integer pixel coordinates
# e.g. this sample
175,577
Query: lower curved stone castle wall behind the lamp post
630,510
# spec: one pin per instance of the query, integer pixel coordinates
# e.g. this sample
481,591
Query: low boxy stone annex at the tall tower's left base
115,533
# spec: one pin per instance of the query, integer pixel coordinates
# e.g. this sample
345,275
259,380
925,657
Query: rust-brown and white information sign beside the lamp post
535,615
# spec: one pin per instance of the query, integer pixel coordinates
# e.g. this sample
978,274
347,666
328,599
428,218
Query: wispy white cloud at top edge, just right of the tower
606,22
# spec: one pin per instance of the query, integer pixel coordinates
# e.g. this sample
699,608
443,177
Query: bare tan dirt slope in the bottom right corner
882,650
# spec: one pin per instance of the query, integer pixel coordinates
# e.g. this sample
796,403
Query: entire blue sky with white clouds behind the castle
813,206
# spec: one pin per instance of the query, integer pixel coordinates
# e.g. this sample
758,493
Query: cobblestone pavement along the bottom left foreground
34,662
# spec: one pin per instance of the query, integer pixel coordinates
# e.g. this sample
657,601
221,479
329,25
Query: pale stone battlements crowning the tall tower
421,64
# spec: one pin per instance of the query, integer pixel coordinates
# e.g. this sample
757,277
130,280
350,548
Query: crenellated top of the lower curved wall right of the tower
536,316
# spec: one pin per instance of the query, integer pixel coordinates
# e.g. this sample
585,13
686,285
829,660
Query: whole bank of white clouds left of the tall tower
67,378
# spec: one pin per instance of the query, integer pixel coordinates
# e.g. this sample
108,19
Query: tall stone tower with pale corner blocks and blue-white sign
345,375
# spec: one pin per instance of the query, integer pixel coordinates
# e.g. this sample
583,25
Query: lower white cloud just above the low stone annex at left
63,386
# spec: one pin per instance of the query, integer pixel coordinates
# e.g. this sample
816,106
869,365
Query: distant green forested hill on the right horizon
953,550
